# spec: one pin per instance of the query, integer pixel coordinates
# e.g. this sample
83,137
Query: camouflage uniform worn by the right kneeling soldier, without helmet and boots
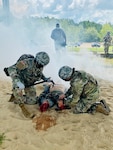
84,90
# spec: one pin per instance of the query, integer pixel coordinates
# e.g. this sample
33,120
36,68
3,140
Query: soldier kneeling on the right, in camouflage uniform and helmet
84,90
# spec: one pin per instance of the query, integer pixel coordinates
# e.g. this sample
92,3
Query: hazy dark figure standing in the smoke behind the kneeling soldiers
59,38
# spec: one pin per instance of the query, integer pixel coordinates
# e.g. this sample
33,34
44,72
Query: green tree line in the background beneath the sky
85,31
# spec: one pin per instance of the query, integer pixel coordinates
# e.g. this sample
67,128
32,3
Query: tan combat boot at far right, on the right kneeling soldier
102,107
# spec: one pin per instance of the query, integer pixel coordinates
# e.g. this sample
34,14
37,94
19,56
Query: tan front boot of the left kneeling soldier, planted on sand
26,113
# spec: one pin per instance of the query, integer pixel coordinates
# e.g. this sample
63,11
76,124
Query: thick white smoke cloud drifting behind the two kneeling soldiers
19,38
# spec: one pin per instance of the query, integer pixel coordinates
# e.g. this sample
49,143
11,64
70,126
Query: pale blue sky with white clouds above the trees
100,11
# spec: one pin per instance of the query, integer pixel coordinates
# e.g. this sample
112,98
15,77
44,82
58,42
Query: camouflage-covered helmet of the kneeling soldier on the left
42,58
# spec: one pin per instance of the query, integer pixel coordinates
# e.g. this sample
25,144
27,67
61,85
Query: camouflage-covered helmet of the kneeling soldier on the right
65,72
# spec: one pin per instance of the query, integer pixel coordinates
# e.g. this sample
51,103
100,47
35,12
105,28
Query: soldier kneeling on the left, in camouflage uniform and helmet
24,73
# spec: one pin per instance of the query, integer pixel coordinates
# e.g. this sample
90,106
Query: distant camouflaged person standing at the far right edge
107,43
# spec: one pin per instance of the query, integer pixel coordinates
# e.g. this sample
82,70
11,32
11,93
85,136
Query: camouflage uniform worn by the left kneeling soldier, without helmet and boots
27,73
